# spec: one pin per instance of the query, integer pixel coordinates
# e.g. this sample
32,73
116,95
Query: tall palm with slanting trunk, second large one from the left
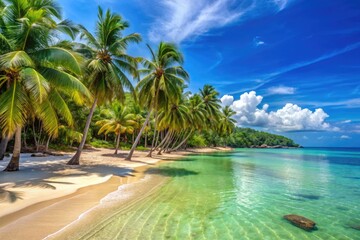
108,64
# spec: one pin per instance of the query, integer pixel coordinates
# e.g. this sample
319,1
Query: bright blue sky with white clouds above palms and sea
286,66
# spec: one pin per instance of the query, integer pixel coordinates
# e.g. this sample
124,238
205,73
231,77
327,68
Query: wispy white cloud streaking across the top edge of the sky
178,20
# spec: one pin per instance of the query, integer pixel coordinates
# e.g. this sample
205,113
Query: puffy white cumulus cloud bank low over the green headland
291,117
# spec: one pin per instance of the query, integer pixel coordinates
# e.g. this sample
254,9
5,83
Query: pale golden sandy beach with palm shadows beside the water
46,195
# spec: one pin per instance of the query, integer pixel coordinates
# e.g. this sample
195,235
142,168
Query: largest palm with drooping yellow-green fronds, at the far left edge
34,73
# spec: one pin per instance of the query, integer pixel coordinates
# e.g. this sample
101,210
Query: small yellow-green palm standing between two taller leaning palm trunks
119,121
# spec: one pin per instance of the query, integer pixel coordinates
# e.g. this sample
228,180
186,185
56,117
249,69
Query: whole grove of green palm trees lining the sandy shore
88,89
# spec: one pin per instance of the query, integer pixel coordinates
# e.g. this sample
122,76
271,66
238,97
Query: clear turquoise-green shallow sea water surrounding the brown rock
244,195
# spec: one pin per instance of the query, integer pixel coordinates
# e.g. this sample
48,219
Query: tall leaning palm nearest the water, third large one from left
163,80
